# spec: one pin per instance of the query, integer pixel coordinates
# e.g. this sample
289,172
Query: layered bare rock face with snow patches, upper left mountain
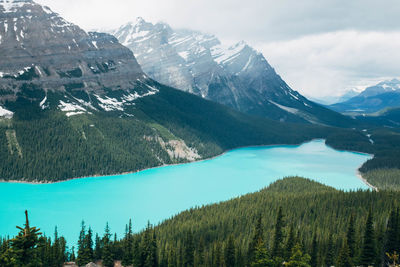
40,52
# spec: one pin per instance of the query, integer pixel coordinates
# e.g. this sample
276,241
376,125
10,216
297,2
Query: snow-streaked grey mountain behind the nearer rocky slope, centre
237,76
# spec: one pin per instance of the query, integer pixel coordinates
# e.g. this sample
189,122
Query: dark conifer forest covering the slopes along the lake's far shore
40,145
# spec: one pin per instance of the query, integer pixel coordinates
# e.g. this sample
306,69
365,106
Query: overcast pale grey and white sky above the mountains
320,47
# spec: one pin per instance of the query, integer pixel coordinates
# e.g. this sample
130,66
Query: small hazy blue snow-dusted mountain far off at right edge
373,99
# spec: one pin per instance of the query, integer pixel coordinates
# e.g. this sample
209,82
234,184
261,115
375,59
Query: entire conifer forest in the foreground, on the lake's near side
294,222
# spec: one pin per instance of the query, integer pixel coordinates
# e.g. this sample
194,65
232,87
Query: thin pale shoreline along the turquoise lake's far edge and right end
358,174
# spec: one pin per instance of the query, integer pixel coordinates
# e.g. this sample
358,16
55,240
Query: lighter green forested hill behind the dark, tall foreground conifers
310,211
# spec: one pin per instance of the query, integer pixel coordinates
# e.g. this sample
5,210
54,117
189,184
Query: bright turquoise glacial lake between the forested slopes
157,194
